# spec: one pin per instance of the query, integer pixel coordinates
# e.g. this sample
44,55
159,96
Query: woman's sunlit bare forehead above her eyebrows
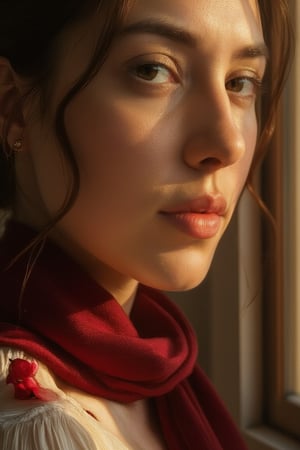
238,19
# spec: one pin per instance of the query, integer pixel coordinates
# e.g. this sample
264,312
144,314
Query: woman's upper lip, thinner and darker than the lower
205,204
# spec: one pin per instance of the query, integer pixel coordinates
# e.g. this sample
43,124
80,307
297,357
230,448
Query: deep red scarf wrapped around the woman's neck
83,335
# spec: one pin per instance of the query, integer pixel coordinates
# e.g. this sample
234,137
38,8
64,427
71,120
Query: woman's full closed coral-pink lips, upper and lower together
199,218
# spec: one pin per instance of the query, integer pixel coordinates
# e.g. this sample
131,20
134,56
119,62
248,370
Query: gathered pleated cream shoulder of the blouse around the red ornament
32,423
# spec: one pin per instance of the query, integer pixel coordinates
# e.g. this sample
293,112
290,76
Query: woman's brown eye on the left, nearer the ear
154,72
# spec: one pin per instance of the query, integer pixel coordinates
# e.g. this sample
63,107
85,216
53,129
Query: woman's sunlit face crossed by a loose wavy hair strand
163,136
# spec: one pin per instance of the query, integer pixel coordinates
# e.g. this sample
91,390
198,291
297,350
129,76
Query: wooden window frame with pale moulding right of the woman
254,388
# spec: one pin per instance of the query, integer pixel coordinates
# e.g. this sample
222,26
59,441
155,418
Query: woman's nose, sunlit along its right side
216,136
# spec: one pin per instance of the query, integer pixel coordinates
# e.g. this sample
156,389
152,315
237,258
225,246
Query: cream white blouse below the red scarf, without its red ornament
62,424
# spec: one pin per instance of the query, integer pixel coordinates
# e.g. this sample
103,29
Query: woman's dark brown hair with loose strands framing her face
29,28
